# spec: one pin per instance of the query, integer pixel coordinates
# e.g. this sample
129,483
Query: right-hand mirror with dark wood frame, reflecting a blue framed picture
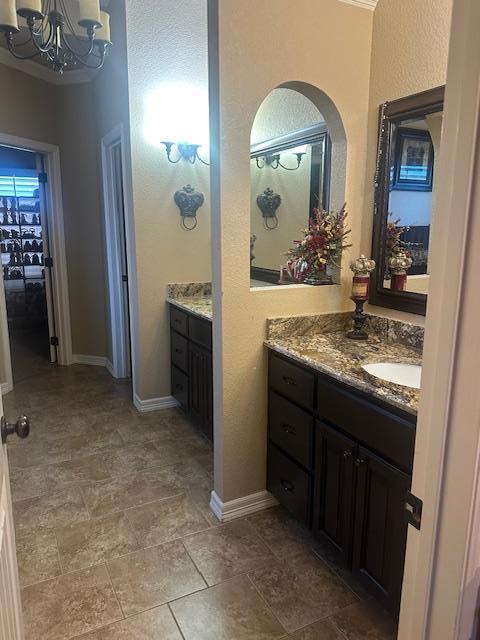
409,140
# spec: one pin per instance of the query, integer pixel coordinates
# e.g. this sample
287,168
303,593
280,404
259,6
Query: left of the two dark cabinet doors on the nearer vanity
334,487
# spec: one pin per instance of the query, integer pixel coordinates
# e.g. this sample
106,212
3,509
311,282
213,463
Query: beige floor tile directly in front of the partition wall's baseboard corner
231,549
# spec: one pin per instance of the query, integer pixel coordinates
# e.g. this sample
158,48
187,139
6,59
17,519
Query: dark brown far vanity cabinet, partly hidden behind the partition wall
191,365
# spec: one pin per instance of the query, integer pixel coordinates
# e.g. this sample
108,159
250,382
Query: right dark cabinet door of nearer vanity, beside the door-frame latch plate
380,533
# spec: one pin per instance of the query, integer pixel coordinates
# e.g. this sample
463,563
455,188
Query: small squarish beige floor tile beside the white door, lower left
37,557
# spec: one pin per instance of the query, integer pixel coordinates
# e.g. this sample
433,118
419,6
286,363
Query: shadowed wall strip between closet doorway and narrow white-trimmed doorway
83,218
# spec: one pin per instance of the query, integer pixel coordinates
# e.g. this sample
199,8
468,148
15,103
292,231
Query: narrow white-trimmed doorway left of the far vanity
118,239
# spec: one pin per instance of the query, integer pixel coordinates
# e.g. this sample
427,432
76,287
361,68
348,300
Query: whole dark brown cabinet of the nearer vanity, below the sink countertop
341,464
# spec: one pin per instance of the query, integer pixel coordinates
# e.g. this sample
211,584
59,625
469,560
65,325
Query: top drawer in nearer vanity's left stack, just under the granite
292,381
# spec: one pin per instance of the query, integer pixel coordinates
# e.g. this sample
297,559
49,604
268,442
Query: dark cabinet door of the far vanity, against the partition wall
200,388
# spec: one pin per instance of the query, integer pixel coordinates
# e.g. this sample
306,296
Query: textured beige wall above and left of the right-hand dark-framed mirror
409,55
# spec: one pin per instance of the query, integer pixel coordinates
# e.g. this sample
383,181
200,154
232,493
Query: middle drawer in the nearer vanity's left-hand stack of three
291,429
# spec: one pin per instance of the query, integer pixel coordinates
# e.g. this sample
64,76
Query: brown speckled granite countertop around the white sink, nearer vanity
334,354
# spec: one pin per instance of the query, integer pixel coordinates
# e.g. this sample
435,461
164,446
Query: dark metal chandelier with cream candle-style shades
53,33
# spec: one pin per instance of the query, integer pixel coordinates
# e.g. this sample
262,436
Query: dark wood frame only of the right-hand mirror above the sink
392,113
